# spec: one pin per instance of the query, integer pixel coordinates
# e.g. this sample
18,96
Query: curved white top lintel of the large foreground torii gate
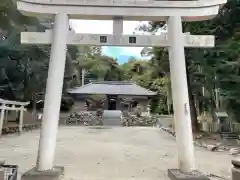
155,10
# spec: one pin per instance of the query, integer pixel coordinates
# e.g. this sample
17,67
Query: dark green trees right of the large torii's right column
217,67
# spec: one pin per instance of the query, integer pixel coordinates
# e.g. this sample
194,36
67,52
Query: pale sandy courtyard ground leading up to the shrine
110,153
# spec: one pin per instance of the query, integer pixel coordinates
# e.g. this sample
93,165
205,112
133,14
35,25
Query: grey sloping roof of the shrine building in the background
112,88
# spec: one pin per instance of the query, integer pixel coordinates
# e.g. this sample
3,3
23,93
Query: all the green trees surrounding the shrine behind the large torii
24,68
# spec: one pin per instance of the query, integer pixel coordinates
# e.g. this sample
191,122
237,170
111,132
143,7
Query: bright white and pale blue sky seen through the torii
106,27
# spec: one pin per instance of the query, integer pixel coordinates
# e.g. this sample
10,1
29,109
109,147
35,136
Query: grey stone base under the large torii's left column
56,173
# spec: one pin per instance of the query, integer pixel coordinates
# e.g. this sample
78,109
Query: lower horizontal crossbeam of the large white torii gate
123,40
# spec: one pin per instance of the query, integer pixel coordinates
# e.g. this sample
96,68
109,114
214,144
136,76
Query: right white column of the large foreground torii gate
182,118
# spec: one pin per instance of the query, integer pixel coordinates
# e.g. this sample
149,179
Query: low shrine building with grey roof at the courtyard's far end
119,95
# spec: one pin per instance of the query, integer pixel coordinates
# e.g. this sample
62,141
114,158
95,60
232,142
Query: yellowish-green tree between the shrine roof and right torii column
146,74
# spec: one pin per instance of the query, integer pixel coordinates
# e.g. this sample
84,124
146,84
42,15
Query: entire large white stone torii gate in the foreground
173,13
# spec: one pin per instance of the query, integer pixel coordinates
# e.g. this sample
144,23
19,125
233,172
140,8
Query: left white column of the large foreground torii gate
47,143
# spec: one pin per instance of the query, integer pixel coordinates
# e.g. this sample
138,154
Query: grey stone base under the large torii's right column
175,174
